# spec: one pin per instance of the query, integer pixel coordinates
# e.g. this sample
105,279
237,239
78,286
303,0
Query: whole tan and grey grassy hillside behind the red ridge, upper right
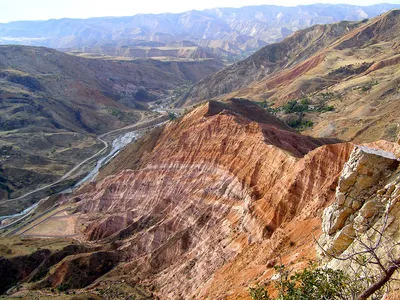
348,66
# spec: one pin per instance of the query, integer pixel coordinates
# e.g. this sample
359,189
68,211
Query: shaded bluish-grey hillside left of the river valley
52,105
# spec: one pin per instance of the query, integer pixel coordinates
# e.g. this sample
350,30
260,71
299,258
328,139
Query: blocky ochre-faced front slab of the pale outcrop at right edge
362,195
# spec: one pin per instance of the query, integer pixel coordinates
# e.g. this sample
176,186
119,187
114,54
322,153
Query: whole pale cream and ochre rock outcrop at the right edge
365,213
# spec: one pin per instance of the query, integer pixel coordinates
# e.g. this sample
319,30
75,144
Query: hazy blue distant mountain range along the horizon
225,33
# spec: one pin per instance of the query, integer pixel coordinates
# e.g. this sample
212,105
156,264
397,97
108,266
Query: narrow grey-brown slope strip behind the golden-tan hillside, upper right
269,60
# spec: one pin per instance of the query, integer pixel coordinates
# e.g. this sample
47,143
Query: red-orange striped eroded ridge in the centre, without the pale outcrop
218,194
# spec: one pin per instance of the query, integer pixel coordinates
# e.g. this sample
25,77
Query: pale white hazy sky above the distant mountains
13,10
